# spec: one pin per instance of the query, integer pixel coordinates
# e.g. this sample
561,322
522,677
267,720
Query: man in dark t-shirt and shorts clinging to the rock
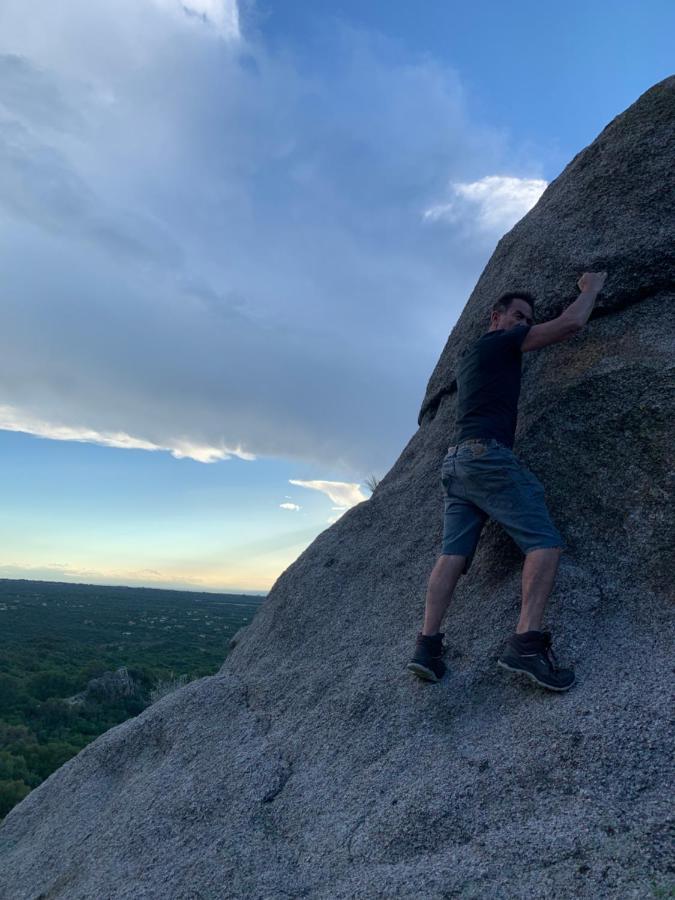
482,477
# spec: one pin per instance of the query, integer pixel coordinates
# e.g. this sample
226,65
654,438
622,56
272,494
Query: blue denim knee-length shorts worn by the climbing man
482,478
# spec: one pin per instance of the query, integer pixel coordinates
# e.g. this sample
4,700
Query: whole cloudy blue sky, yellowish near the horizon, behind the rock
234,237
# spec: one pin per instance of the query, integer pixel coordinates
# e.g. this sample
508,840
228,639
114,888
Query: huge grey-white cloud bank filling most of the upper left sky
212,248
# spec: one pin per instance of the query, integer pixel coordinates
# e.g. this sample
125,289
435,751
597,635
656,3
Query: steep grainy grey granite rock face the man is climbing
313,765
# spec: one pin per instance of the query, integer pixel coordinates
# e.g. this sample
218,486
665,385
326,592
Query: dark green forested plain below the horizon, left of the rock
77,659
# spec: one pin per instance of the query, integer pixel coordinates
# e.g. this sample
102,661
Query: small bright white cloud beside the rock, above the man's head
494,203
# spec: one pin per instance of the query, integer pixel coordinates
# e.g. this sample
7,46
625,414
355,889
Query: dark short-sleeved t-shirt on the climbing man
488,386
